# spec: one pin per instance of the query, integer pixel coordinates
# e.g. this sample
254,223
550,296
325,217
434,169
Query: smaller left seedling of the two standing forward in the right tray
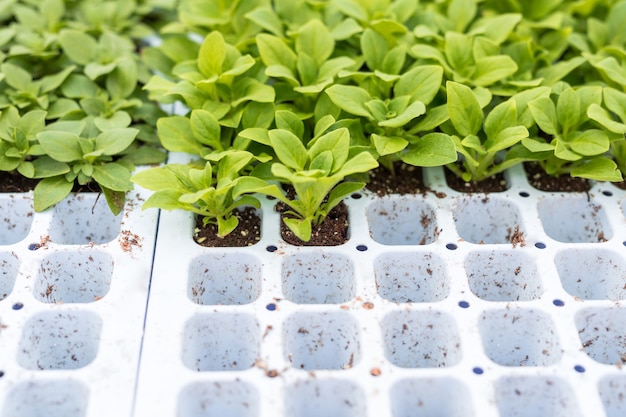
213,191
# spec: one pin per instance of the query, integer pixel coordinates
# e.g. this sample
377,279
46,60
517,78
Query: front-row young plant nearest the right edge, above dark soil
567,140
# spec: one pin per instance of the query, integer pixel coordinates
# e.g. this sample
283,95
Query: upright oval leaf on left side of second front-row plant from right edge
465,112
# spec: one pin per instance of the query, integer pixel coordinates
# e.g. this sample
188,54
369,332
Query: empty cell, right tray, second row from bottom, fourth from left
519,337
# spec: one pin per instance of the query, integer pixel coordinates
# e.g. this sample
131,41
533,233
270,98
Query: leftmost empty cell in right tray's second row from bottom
220,342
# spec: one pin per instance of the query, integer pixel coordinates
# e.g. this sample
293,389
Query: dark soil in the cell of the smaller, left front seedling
247,233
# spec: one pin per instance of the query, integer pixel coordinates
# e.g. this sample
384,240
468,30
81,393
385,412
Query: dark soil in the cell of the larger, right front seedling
332,232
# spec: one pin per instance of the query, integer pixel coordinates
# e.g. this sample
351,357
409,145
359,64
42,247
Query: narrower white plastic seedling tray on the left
73,290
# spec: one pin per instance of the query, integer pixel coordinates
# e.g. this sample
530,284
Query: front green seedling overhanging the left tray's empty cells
88,154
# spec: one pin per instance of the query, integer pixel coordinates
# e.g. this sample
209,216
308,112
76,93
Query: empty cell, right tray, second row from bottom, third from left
421,339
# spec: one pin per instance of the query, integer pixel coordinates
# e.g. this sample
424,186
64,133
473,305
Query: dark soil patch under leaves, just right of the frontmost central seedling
408,179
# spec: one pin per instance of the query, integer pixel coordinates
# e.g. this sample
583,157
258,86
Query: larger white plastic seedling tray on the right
427,310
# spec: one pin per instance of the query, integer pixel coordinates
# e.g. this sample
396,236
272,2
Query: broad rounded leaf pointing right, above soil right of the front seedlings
433,149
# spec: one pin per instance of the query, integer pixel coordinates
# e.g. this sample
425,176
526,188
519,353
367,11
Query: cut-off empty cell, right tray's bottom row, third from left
441,397
